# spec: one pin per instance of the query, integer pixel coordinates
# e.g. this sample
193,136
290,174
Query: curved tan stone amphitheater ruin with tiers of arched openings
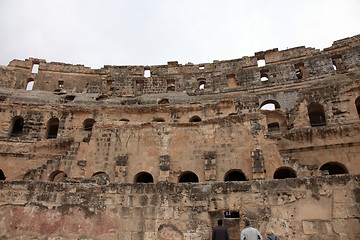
163,152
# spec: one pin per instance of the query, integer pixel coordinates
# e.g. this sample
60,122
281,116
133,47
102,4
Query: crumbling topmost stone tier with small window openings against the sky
264,69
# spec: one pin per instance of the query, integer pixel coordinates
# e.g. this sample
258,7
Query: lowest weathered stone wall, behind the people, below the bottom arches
309,208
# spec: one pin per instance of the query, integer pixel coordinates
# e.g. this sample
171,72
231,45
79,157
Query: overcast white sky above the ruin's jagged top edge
152,32
